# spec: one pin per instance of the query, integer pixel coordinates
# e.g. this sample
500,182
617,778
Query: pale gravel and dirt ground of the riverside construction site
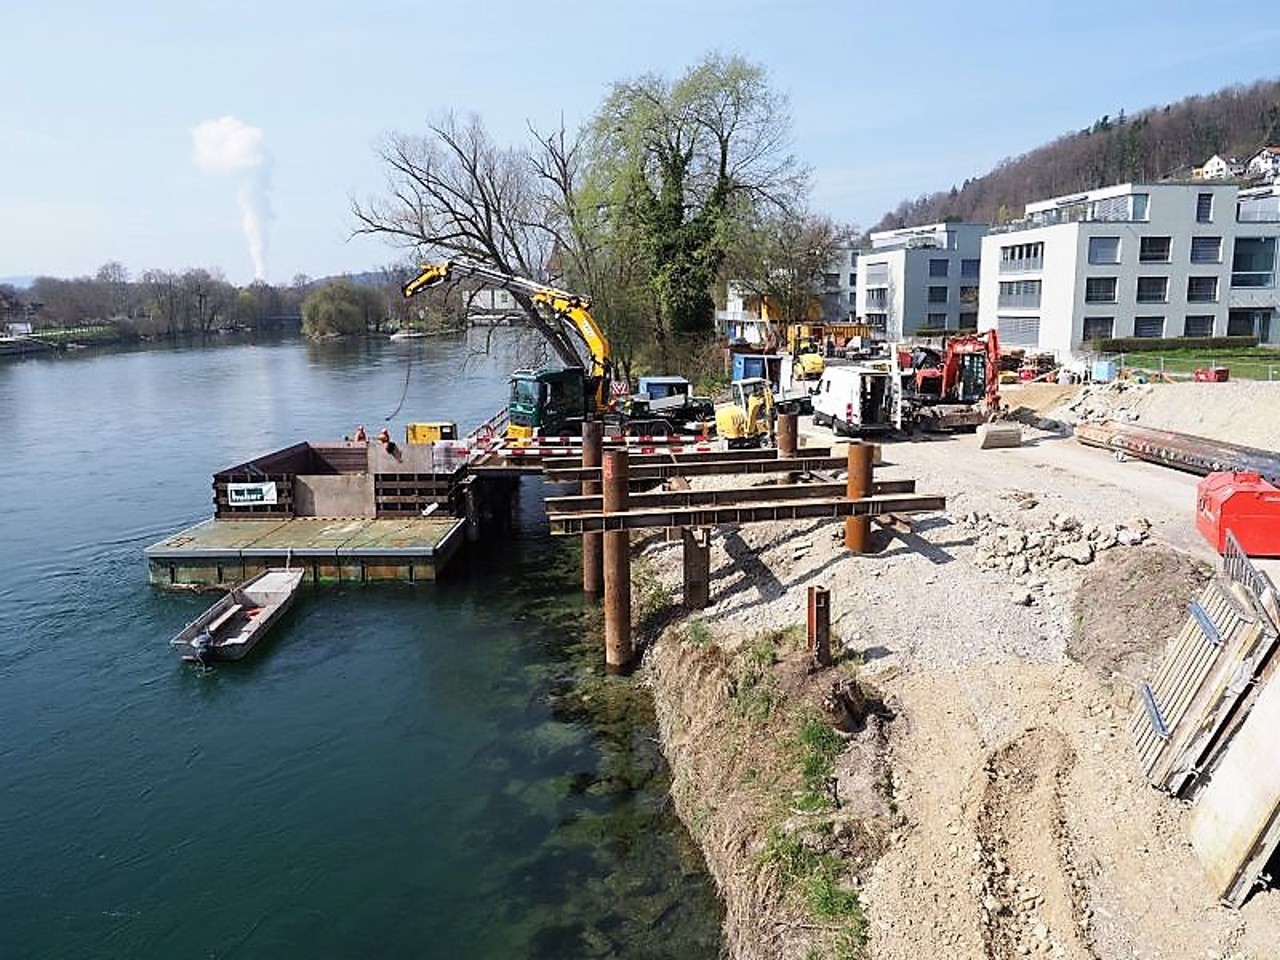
1007,638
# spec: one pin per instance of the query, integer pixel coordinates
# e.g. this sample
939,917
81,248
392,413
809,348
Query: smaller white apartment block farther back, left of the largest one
921,278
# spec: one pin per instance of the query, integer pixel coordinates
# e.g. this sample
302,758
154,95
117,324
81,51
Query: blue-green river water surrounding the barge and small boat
431,771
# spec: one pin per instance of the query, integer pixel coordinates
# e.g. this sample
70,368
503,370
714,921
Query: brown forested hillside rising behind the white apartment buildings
1154,145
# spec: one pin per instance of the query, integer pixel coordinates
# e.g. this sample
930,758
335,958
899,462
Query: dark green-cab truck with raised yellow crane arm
556,403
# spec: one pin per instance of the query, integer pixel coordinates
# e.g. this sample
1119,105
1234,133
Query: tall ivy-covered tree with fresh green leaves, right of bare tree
685,161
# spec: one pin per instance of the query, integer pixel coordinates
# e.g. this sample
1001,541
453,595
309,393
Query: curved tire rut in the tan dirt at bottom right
1031,893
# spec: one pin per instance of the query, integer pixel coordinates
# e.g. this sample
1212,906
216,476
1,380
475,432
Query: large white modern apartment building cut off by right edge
1135,260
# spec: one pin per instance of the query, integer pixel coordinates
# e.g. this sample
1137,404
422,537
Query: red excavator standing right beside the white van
957,388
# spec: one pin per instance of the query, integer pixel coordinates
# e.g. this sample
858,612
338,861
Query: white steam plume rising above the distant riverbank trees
230,147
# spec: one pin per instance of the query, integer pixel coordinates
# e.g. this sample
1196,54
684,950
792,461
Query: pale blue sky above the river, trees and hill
235,136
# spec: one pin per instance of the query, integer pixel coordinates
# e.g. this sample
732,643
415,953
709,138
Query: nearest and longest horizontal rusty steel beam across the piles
749,514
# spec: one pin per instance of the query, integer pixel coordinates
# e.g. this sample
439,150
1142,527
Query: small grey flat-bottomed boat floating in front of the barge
232,628
